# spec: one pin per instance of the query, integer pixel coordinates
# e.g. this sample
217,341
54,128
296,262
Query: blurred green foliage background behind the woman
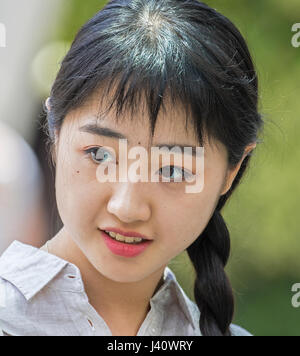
262,214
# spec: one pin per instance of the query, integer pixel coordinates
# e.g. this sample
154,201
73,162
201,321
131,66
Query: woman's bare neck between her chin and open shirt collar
114,301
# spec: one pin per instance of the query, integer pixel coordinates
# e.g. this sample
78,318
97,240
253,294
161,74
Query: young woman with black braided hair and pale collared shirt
154,73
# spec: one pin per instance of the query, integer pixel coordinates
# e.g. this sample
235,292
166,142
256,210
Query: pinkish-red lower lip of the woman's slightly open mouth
124,249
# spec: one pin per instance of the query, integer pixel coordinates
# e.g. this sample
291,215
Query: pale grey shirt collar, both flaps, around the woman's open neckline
31,269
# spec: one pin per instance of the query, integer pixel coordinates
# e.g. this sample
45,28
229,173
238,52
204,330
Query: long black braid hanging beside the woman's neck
213,293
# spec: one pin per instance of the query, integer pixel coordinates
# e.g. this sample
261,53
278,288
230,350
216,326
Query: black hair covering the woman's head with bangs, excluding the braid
166,54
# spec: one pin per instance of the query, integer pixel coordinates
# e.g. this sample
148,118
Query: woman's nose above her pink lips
129,202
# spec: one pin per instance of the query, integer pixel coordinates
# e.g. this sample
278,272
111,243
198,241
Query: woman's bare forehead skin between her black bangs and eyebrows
171,126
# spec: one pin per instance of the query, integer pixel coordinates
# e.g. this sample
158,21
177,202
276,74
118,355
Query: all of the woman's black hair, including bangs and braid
190,53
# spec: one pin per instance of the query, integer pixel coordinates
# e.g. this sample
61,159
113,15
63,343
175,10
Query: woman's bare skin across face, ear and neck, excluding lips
120,288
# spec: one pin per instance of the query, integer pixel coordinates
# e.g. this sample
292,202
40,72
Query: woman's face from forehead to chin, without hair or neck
162,211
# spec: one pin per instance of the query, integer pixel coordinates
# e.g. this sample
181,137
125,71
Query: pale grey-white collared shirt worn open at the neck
43,295
